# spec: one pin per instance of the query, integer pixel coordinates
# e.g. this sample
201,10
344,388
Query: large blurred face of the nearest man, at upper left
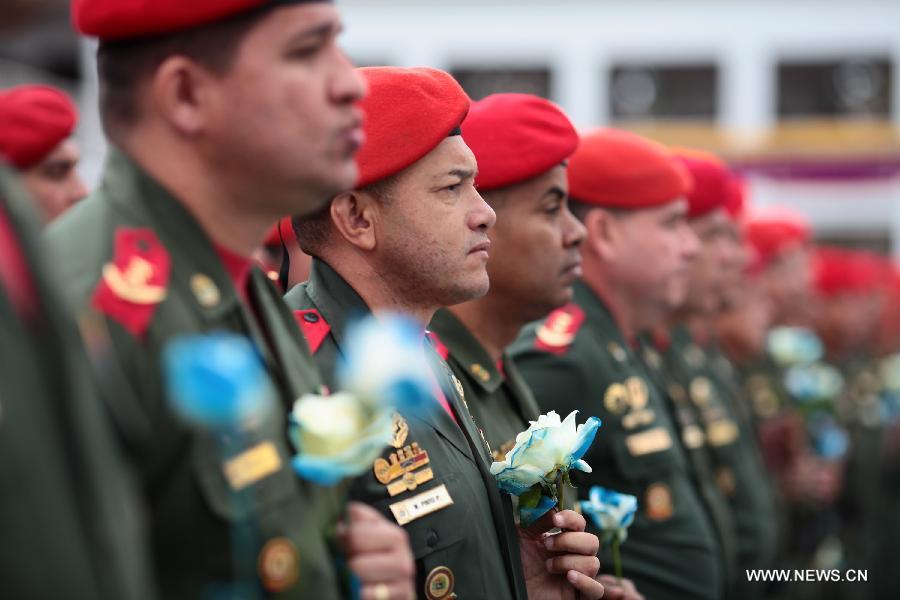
286,111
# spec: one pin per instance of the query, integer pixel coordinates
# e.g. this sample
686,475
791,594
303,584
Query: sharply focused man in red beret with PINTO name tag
411,238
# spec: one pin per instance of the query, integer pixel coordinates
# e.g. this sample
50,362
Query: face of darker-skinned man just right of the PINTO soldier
534,246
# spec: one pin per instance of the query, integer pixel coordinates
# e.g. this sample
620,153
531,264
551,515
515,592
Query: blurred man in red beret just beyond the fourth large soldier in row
702,377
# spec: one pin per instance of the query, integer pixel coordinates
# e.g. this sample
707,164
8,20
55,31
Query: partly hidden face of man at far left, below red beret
54,184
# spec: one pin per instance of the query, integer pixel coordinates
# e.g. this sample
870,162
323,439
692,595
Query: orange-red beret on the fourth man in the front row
619,169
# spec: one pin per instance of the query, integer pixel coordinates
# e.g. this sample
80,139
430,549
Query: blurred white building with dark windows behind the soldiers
803,96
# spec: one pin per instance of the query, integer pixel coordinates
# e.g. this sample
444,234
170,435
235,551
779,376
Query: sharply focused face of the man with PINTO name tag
431,238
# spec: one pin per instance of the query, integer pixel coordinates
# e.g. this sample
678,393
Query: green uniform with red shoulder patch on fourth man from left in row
569,364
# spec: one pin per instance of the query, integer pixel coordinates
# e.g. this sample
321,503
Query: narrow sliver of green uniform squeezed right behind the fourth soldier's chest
693,438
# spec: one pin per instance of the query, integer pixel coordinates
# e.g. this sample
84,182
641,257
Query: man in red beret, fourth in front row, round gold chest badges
629,193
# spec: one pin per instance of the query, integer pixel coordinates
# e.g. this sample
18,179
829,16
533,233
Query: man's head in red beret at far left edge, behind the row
36,124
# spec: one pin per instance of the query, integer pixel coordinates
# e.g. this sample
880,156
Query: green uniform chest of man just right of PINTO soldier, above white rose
496,394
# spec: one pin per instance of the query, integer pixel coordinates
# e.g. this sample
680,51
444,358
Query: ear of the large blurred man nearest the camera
183,95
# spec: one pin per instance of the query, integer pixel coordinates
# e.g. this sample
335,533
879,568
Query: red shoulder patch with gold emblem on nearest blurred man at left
134,282
